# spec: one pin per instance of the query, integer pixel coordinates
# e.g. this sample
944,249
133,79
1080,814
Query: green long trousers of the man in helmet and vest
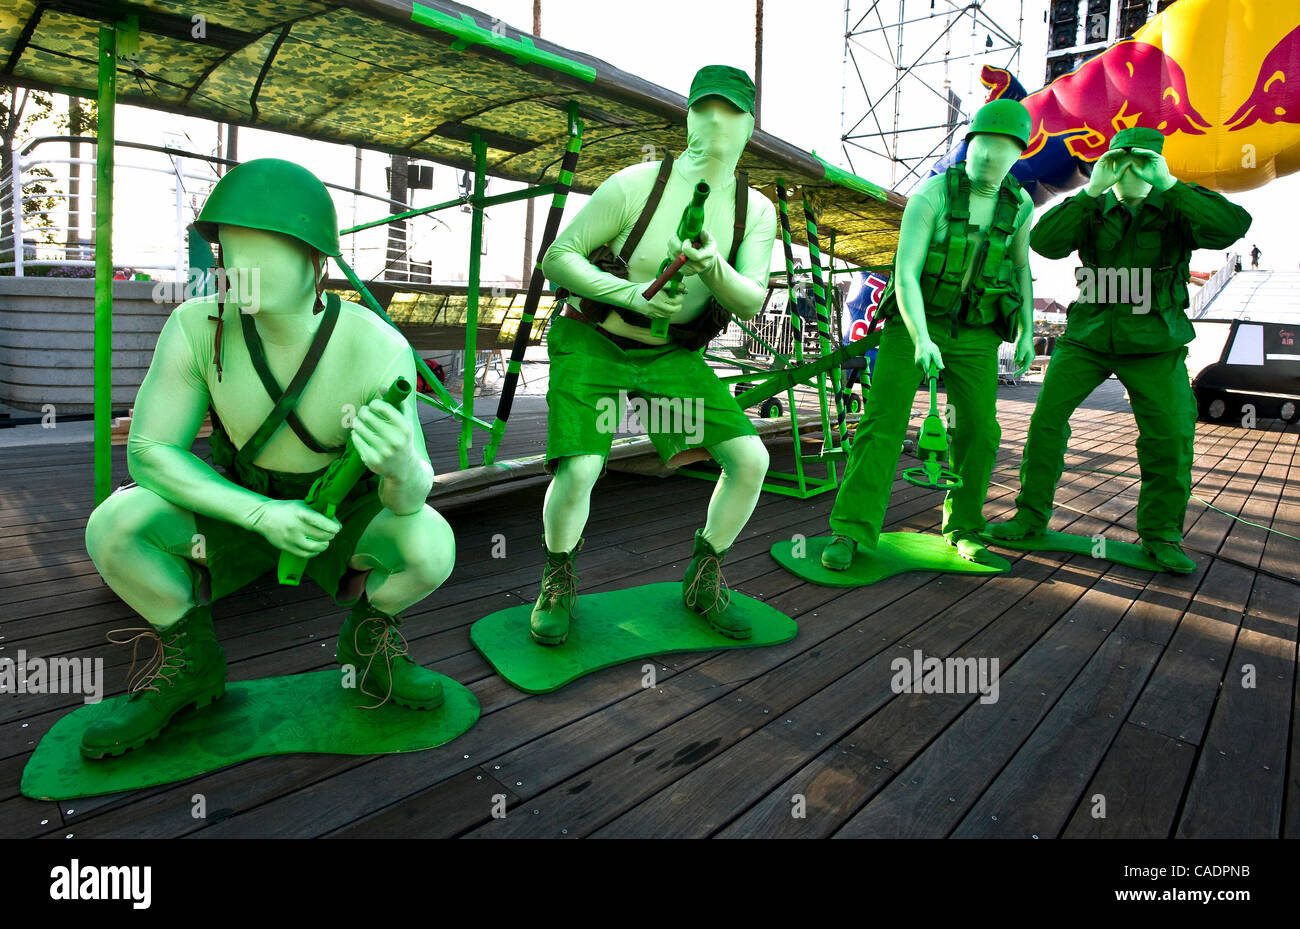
970,383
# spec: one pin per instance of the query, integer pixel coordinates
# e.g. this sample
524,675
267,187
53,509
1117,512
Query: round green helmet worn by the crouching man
278,197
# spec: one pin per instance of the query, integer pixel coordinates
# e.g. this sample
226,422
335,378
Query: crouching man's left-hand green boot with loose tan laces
190,672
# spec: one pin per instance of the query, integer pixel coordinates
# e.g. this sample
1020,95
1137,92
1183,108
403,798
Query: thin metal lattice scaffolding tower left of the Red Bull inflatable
904,105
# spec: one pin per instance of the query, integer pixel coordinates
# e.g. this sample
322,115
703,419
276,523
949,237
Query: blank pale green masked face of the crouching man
274,270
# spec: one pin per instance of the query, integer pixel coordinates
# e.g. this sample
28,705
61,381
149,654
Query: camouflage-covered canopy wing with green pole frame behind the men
447,84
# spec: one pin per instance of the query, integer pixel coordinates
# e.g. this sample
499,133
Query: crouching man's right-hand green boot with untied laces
371,643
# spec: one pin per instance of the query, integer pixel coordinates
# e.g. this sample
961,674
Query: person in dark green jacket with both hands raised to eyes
1139,224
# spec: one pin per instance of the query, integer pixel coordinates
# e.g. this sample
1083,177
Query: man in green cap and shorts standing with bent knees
603,349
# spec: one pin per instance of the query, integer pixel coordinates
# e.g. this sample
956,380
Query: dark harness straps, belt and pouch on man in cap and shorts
692,336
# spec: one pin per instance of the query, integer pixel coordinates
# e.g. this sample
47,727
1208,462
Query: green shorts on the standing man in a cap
678,400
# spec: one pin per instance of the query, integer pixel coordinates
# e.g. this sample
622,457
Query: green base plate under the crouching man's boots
271,717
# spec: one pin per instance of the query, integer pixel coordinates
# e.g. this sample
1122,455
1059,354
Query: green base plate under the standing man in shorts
614,628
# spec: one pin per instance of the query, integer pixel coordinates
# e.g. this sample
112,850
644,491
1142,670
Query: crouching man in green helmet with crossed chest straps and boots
185,536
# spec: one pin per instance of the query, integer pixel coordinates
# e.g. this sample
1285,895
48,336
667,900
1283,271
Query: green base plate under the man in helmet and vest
895,553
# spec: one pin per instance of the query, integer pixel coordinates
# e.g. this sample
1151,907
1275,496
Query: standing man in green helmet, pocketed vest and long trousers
960,288
